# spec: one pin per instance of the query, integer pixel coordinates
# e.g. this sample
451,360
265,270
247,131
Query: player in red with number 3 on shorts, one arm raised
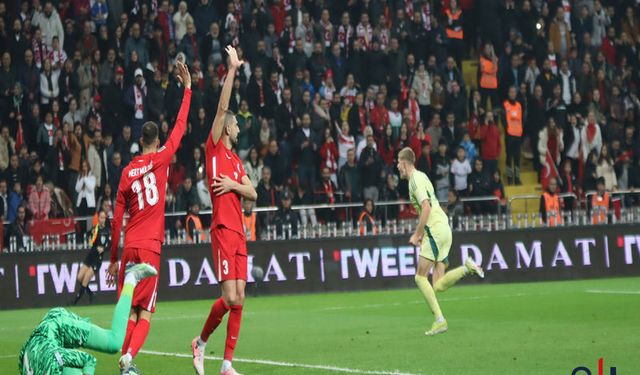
227,184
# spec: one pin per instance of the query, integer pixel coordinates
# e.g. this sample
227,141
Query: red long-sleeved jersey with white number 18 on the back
143,186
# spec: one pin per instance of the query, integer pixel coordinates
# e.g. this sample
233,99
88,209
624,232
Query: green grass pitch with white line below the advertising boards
533,328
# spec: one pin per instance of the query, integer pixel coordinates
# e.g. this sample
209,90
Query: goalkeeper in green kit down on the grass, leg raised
52,347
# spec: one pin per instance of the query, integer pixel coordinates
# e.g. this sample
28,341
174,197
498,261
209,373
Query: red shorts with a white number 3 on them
229,254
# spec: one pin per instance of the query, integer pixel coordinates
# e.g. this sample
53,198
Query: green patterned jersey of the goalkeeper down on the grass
51,346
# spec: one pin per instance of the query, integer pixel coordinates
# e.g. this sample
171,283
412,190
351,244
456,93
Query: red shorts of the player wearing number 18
146,292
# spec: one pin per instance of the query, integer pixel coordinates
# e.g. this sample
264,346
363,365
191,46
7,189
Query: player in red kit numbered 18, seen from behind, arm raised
142,186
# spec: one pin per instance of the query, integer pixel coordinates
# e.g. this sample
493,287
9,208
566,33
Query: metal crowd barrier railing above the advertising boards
497,220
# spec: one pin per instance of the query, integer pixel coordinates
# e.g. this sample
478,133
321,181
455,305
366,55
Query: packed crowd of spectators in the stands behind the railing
329,93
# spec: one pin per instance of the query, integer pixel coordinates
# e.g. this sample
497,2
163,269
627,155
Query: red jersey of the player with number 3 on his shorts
226,209
